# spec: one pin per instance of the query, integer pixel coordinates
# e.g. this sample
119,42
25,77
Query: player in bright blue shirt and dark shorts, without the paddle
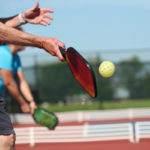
11,75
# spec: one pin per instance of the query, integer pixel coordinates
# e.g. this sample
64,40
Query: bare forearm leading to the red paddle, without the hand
11,35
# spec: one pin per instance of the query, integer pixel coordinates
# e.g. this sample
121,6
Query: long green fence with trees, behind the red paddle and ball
54,82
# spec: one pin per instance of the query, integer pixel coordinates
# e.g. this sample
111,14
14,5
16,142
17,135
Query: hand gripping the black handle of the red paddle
51,45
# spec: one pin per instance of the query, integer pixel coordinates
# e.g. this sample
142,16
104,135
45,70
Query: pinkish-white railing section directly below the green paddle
34,135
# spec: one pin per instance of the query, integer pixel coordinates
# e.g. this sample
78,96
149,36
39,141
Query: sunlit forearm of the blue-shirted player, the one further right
25,90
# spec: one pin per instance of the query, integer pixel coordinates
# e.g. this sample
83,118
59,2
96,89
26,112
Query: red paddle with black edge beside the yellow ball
81,70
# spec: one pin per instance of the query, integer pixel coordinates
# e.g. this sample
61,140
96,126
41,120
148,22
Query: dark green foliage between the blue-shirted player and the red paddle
55,82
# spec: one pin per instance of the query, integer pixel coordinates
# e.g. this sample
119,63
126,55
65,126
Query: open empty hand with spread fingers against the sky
38,15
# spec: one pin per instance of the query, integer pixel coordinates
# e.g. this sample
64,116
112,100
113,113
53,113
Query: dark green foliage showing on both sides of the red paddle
56,82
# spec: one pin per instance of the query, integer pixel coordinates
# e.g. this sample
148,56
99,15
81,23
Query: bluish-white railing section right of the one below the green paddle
115,131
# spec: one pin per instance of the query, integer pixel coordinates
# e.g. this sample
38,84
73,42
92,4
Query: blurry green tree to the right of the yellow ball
129,72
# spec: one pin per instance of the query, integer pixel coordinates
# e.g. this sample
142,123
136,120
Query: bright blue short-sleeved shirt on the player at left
8,62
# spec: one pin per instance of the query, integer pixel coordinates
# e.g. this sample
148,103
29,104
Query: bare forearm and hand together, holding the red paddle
11,35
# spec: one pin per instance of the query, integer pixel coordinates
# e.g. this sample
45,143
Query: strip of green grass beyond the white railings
106,105
